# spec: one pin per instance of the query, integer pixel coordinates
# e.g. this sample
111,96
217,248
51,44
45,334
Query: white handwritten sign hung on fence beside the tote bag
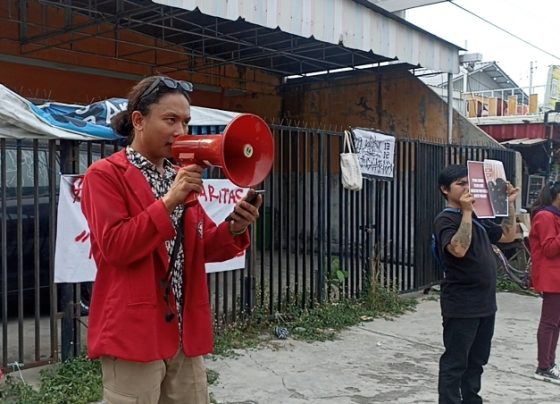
377,153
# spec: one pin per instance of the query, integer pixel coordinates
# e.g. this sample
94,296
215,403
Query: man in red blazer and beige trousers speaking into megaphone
150,320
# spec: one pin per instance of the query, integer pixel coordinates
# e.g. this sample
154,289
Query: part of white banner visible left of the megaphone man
72,259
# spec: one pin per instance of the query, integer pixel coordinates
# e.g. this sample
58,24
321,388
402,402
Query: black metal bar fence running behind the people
314,241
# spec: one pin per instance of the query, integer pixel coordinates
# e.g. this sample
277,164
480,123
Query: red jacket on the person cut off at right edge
544,241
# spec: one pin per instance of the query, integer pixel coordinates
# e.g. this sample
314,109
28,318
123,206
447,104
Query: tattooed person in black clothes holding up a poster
468,290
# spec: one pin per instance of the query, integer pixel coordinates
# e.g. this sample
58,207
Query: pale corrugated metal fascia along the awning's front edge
355,24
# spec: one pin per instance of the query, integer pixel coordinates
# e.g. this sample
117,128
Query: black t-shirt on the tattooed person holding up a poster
469,287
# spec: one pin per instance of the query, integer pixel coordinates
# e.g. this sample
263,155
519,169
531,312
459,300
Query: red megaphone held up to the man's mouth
245,151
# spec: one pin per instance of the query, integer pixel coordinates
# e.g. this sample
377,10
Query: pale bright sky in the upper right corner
535,21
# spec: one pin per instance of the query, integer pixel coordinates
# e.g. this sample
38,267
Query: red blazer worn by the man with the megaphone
128,232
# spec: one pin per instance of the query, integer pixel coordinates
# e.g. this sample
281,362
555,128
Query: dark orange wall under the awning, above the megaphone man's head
129,56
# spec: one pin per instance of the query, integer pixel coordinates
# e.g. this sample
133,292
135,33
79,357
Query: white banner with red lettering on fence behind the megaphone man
73,261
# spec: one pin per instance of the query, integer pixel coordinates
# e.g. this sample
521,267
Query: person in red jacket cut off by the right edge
544,242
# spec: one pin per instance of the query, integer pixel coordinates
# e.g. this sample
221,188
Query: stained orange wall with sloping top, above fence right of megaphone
393,101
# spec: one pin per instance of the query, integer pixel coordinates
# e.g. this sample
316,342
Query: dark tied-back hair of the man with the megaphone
139,101
